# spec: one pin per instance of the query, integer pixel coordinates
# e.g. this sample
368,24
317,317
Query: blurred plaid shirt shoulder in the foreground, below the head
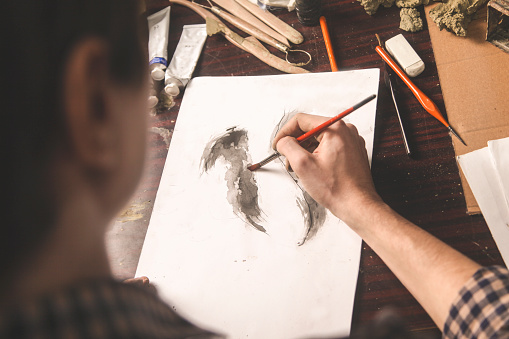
102,309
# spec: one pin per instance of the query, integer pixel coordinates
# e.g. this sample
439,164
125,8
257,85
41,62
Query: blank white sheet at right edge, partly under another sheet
479,169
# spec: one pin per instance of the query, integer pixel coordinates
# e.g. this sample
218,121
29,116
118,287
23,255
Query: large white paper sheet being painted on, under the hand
217,270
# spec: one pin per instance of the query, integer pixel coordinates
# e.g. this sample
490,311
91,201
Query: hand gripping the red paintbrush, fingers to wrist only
336,173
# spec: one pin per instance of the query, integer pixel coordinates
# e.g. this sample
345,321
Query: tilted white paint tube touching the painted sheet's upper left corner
185,58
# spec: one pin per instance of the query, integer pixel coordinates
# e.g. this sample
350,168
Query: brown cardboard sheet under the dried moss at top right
474,76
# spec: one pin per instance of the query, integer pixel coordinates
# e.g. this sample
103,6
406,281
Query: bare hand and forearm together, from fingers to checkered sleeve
337,175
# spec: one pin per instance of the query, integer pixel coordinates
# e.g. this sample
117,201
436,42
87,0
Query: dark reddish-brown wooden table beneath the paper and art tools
426,189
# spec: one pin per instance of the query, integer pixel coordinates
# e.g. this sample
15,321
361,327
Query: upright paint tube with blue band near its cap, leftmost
159,29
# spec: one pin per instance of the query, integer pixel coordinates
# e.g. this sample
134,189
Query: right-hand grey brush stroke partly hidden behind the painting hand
313,213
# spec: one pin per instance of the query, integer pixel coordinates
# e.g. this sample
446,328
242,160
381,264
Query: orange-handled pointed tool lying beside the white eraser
426,102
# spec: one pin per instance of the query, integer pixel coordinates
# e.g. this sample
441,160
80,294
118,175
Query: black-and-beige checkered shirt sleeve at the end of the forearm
481,309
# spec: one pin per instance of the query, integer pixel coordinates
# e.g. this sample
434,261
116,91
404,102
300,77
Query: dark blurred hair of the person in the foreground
37,37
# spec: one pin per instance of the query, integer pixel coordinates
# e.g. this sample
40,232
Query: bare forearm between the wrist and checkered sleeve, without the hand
431,270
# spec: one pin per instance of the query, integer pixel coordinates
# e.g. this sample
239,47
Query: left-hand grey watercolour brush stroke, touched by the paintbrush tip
232,147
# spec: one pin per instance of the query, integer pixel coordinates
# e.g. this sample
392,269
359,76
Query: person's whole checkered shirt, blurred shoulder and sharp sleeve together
111,309
